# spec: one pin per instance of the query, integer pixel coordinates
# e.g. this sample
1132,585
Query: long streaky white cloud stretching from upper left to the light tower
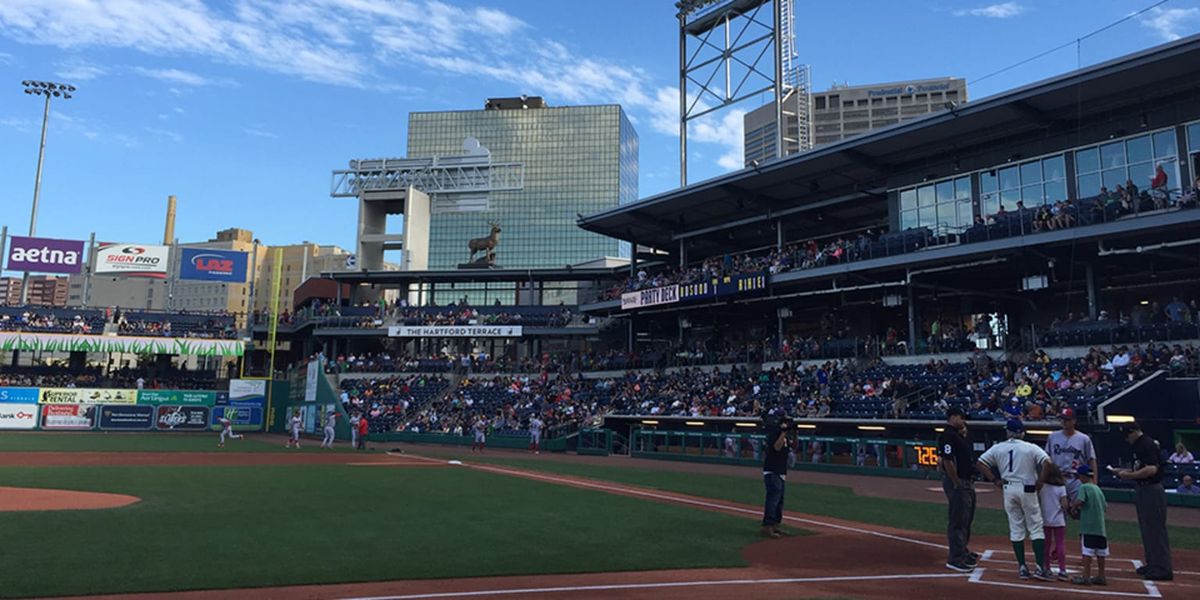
363,44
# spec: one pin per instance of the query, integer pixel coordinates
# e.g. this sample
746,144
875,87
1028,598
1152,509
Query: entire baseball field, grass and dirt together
173,517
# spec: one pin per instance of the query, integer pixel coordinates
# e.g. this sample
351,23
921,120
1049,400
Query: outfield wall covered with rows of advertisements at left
133,411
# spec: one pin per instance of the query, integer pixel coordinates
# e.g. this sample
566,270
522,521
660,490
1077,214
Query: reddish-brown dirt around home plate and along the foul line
842,559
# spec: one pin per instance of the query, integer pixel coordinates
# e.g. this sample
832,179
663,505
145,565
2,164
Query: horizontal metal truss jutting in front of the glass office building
439,176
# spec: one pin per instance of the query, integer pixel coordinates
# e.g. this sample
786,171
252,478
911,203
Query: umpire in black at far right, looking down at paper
1151,502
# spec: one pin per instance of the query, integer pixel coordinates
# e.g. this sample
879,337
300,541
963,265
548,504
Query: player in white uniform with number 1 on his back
1016,466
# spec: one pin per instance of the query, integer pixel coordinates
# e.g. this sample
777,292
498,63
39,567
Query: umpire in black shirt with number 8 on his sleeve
958,483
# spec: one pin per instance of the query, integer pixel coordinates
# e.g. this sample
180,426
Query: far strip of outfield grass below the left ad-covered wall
113,442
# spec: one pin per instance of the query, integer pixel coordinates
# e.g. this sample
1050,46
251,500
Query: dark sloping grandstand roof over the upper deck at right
859,169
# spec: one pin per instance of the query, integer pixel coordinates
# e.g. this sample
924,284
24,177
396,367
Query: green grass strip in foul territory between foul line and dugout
836,502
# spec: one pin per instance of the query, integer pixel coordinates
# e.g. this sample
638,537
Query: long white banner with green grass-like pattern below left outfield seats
70,343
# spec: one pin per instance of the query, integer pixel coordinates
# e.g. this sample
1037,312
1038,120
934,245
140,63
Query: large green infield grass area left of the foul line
221,527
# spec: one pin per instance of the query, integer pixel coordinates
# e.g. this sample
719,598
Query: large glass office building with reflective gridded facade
578,161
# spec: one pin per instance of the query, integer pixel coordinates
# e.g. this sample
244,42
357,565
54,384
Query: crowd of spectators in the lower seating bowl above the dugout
991,389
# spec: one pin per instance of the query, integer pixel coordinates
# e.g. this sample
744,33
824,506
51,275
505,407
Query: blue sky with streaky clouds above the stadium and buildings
243,107
